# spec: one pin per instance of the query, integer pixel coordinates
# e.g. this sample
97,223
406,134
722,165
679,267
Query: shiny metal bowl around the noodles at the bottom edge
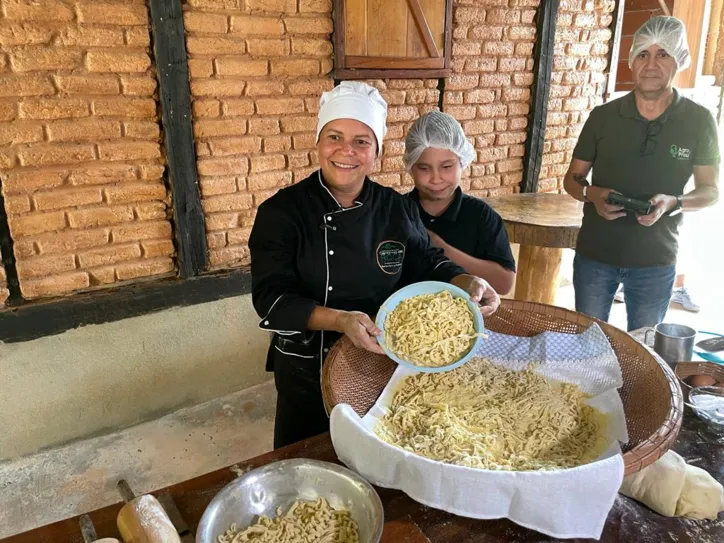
280,484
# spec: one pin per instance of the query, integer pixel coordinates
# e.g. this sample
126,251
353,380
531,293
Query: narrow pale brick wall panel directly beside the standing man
578,81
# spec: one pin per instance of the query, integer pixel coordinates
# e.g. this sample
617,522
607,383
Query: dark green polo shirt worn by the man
640,158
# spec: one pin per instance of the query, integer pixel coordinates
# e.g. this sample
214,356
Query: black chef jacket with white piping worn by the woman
307,250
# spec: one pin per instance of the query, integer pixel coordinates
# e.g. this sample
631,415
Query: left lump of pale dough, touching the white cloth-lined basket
659,485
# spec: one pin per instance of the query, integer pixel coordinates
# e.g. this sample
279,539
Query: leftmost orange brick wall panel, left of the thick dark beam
80,159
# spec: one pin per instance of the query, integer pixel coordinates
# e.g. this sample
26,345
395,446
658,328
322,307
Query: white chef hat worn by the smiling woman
358,101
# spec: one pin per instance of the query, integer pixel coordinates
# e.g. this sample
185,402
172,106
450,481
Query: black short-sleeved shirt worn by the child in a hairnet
471,226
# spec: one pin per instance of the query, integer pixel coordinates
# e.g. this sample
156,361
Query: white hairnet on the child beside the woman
439,131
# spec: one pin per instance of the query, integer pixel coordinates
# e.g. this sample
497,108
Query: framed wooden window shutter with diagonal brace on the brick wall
392,38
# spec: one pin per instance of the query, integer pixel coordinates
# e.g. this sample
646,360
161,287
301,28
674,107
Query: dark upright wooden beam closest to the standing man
543,57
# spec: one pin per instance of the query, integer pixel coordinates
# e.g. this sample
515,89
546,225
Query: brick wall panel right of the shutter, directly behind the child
490,90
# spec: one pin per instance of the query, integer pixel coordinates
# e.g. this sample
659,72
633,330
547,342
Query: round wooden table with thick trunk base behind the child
543,225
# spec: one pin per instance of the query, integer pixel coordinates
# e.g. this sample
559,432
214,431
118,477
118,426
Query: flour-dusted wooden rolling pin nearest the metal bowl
143,519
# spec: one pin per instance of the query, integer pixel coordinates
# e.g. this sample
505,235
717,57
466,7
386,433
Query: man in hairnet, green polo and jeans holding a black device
645,145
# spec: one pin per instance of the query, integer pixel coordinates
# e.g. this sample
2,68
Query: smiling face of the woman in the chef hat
347,150
